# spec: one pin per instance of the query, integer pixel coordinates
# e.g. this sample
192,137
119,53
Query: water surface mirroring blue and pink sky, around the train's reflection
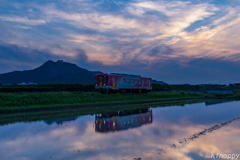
78,139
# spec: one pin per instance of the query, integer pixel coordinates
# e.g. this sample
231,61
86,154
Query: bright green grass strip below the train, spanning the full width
35,100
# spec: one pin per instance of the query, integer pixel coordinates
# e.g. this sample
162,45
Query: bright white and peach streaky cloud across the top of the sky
180,15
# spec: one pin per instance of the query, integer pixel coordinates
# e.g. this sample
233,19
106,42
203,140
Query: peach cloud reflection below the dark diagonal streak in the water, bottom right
222,141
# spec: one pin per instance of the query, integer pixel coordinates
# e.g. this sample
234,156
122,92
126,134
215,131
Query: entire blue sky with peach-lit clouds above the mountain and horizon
178,42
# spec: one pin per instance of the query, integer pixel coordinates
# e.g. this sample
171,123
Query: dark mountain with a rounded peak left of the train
51,73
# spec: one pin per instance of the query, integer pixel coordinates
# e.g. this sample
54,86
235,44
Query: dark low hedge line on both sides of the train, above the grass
90,88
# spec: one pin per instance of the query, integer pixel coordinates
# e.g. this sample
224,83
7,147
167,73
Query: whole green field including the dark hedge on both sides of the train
47,96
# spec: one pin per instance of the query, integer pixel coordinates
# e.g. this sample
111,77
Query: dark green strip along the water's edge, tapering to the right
11,118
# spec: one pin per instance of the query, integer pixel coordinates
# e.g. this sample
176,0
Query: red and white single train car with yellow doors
115,82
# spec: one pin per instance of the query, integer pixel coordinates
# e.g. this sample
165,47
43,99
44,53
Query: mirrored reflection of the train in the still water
122,120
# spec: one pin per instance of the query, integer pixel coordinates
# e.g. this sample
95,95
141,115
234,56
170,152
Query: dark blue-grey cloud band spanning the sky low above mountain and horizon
171,70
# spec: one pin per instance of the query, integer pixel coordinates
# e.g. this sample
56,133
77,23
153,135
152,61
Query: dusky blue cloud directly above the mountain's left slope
14,57
